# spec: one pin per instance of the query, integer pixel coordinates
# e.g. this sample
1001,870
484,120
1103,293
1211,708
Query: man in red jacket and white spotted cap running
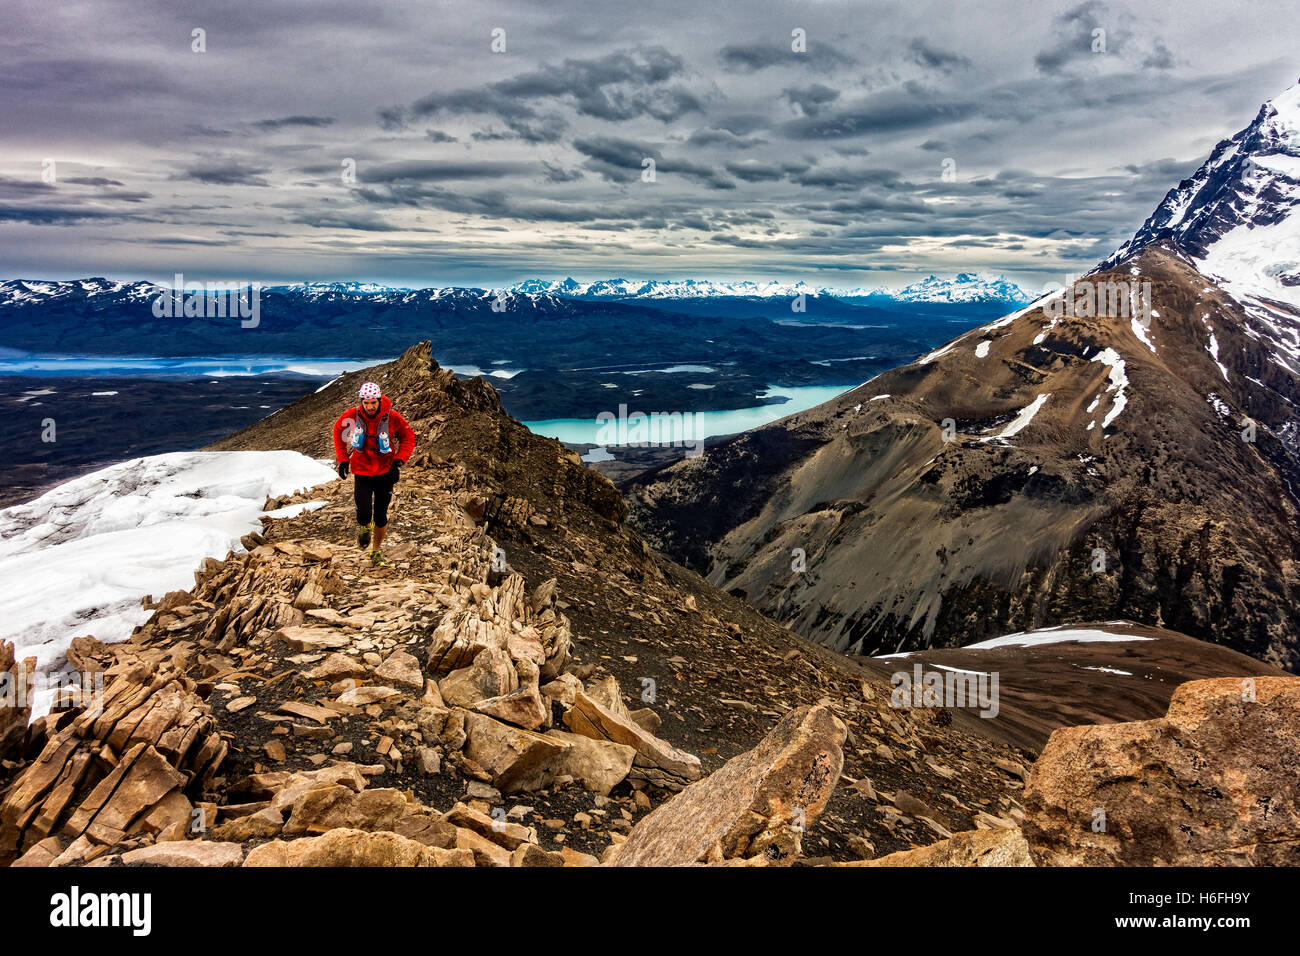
372,442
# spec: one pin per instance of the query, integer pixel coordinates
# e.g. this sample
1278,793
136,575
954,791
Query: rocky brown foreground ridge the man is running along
528,685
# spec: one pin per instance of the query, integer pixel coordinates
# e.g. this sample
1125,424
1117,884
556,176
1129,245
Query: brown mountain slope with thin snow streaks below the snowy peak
1121,491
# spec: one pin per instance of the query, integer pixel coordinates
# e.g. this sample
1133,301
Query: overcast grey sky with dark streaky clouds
483,168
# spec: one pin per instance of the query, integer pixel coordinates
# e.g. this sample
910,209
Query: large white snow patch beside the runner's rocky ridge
77,560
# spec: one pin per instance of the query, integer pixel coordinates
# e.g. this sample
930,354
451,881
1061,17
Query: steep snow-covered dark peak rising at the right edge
1237,217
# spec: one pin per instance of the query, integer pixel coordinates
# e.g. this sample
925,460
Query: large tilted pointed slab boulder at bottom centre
757,806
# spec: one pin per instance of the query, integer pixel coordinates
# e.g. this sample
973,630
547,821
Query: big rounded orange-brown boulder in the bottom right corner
1216,782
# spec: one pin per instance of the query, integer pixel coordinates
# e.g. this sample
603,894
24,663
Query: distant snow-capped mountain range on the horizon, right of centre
967,288
